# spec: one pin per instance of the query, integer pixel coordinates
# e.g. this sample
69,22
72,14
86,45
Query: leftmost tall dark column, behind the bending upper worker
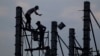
18,34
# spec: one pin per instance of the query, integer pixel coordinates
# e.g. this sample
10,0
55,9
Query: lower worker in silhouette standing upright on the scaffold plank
41,31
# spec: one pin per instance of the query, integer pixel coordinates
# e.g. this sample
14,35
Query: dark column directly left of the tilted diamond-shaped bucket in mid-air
54,39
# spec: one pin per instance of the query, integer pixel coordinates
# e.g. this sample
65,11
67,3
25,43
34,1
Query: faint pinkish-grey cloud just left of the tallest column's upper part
70,12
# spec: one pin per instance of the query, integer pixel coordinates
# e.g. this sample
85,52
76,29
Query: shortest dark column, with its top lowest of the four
71,41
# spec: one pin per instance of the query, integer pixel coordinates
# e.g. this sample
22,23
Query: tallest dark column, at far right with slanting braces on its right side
86,29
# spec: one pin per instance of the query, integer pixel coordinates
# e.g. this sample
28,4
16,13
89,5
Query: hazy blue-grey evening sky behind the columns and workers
67,11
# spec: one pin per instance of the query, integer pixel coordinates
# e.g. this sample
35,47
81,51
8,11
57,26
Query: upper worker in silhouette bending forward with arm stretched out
28,15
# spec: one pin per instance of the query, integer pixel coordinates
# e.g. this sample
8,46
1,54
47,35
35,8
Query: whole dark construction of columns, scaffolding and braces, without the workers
26,37
